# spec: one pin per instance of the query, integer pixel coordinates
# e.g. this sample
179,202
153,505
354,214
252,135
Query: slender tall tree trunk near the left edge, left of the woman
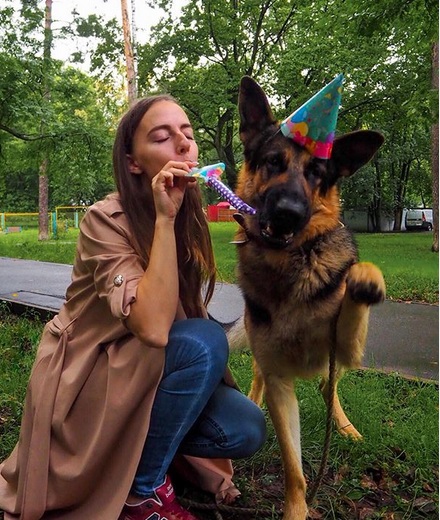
43,184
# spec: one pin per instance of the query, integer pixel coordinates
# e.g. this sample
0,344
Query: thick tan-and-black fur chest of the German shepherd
293,299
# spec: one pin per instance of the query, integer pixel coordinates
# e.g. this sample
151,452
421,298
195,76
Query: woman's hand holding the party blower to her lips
169,187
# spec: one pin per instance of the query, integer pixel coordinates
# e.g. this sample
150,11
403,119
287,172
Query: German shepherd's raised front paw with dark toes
365,283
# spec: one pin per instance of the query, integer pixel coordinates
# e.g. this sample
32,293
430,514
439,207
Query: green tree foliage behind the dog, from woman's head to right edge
293,49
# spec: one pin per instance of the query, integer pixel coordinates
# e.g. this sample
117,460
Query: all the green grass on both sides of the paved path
391,474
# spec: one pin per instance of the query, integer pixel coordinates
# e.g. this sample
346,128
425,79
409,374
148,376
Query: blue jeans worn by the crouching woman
194,412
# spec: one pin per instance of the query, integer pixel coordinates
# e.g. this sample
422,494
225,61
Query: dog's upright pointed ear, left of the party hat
255,112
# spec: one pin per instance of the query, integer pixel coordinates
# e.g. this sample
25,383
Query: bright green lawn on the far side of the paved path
410,269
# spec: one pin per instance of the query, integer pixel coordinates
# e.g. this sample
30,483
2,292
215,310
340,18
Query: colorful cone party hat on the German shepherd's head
313,125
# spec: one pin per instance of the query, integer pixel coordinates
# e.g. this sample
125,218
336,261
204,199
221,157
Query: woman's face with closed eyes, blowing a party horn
164,134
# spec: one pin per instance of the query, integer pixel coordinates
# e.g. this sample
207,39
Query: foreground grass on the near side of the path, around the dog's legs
392,473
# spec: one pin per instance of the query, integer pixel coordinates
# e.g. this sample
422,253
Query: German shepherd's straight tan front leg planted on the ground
283,408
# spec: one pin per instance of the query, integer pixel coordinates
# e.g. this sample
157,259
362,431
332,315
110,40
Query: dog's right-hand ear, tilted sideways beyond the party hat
353,150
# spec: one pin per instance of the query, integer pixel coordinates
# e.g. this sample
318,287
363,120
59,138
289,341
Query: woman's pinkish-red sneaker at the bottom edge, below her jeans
163,505
